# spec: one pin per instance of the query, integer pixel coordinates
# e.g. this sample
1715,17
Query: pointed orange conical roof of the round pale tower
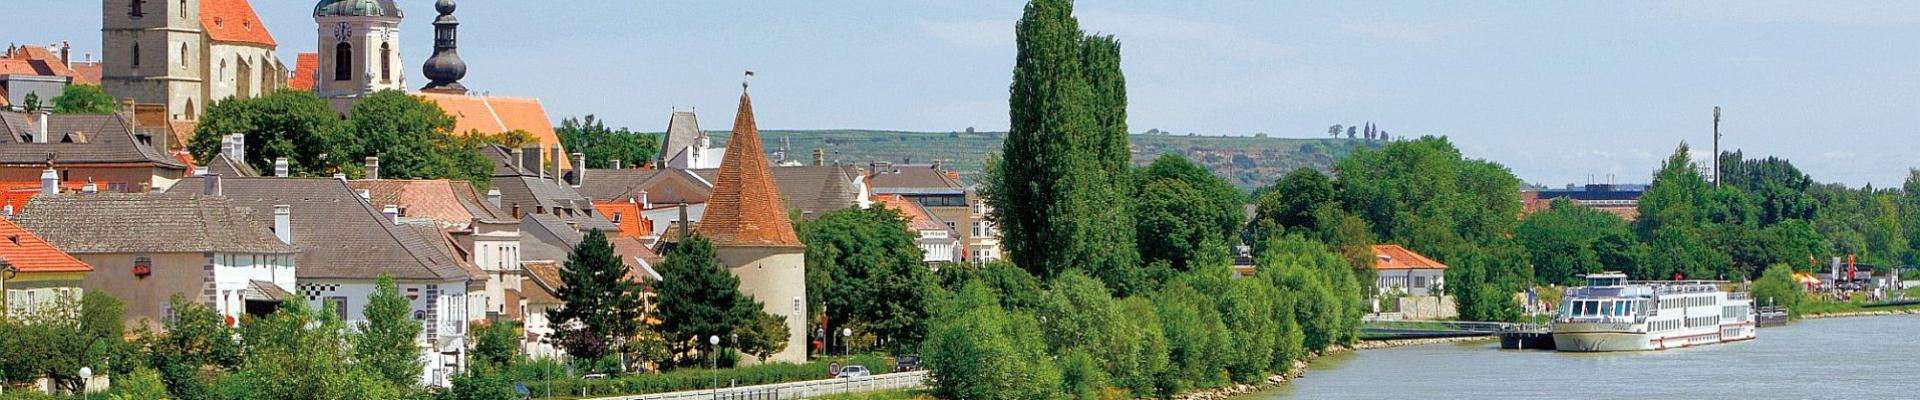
746,207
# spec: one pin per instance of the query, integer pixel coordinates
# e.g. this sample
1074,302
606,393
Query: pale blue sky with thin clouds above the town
1558,91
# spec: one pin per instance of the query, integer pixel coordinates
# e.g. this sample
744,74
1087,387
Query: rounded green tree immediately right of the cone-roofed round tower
865,268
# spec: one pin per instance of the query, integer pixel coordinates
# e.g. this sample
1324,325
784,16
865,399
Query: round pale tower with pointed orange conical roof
752,234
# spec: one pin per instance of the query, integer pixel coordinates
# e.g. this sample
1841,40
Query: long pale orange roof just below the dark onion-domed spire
498,114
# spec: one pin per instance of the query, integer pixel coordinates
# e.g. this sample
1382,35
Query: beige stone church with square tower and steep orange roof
187,55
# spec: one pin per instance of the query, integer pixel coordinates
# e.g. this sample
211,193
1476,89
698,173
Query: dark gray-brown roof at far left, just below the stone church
108,139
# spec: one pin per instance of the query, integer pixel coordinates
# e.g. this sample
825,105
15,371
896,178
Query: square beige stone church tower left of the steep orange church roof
155,55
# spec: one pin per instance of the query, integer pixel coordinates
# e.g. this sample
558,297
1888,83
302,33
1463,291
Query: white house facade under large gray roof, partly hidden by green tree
439,307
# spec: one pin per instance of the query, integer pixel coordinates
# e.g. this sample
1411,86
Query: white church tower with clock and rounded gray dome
360,51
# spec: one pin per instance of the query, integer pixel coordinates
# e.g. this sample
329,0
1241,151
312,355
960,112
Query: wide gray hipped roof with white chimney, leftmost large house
116,224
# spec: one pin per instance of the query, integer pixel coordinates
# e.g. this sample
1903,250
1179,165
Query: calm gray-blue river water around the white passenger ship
1817,359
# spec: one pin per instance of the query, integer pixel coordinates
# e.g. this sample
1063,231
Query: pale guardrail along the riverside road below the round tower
805,389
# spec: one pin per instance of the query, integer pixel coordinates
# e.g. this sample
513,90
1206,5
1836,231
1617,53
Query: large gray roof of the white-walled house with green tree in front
339,236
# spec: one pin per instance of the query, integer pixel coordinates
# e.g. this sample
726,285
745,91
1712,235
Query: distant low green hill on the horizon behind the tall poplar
1247,162
